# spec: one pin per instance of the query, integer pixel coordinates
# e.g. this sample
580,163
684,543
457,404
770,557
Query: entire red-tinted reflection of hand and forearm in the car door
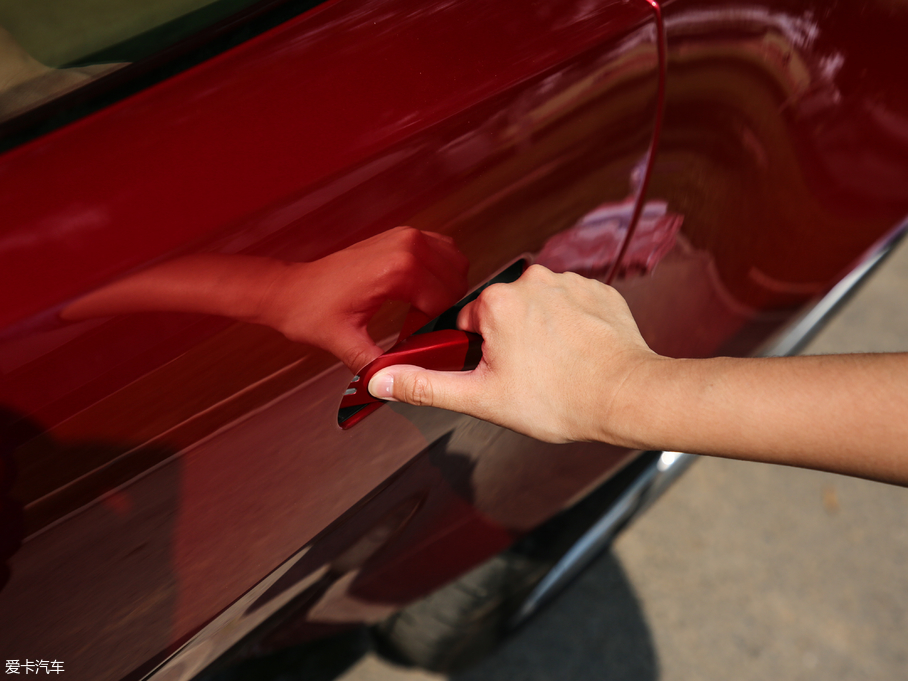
326,303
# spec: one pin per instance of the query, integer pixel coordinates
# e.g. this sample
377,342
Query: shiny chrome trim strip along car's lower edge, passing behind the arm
657,478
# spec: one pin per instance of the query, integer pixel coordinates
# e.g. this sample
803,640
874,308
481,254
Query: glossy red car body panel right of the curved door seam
775,156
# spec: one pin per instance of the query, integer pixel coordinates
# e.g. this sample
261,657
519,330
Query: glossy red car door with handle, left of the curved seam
174,459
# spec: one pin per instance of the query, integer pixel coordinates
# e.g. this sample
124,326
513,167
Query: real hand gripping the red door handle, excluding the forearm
558,350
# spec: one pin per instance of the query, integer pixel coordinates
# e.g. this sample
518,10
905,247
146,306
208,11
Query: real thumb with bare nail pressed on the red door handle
452,390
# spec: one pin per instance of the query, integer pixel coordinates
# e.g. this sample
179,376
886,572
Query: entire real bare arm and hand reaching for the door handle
563,361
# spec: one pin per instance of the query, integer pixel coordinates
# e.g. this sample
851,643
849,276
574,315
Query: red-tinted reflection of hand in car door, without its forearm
329,302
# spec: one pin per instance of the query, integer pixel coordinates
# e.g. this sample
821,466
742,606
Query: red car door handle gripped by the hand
445,350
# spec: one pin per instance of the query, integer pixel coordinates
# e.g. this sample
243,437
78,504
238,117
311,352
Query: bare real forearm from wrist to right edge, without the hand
844,413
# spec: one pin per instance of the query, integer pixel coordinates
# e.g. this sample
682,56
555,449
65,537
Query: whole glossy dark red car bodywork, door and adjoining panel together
169,464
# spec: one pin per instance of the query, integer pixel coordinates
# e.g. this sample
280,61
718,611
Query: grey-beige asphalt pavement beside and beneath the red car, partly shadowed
741,571
